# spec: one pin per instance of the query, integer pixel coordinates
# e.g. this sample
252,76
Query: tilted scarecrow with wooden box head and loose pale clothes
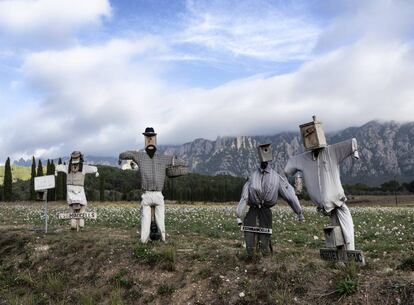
320,167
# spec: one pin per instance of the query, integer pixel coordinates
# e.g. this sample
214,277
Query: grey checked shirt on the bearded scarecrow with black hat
151,170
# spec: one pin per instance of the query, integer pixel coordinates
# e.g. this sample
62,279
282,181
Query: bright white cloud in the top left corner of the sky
50,21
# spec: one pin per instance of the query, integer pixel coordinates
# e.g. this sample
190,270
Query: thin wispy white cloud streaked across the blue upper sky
248,29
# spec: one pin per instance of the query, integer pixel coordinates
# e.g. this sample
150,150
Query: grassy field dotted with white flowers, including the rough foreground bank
204,260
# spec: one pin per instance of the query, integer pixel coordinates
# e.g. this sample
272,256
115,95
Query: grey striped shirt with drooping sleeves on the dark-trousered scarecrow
262,189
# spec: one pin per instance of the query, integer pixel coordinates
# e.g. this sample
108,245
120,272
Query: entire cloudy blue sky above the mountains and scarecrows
91,75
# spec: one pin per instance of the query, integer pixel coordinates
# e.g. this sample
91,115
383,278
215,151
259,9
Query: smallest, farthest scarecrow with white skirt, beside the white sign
75,179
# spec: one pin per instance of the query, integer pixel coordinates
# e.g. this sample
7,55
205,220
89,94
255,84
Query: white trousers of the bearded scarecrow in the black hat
148,200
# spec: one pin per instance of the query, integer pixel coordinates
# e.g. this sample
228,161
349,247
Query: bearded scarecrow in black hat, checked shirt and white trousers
152,167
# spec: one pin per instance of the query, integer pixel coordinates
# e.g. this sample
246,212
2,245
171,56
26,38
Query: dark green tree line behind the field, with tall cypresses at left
114,184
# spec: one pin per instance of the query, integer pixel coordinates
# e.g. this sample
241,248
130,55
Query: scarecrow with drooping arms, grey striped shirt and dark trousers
260,193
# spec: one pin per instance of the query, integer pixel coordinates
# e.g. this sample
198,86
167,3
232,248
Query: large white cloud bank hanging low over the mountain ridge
99,98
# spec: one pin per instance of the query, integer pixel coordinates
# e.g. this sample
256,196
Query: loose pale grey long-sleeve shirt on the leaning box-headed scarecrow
322,174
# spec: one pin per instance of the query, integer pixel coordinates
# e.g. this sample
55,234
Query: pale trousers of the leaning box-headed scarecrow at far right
342,216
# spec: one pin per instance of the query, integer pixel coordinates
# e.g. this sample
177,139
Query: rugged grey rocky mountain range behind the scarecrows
386,152
